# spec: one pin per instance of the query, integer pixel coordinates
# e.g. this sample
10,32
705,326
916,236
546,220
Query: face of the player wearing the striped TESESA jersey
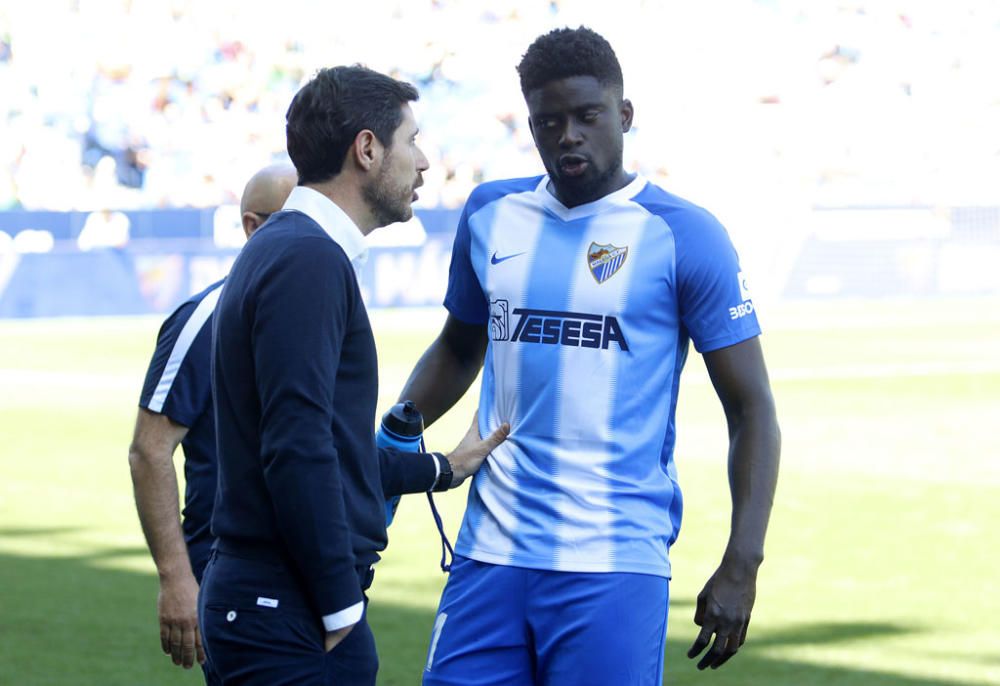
578,127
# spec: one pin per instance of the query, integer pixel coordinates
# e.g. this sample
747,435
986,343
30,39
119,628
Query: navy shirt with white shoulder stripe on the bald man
179,385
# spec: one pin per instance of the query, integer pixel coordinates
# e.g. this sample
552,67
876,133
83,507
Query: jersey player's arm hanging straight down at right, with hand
740,379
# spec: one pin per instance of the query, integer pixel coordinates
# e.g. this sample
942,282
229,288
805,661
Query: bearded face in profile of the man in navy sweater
393,190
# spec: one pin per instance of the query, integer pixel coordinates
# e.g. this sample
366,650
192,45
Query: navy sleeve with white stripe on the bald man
178,381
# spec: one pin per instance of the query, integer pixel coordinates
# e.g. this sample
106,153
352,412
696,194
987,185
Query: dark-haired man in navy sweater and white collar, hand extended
299,511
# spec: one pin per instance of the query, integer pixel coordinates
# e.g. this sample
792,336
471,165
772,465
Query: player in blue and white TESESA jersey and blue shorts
582,289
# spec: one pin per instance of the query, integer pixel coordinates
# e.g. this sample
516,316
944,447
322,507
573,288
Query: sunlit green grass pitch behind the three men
882,558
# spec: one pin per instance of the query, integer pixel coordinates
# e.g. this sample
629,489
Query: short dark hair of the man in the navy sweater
328,113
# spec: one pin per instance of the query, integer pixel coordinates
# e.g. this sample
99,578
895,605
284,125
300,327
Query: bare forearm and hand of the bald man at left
154,481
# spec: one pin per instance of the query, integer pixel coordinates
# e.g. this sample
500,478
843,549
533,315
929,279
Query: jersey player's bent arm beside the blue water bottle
447,369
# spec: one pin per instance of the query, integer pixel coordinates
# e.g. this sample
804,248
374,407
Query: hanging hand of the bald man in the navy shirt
177,606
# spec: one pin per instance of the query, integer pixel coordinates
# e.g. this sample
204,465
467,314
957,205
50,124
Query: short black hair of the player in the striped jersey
563,53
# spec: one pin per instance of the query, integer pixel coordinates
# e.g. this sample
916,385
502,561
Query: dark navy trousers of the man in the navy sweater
259,630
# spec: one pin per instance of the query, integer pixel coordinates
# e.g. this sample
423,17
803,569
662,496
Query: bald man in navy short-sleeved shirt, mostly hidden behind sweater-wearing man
175,408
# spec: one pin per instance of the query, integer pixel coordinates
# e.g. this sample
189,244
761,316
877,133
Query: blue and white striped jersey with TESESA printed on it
590,311
